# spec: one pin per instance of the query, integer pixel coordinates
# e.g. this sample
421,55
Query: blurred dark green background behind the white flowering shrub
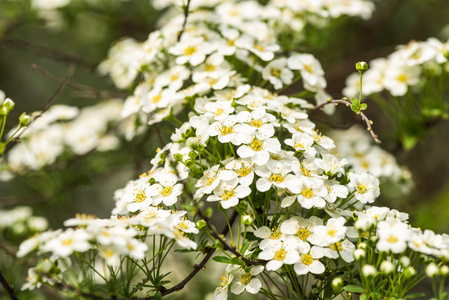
89,29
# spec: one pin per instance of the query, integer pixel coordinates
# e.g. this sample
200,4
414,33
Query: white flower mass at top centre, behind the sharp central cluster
216,44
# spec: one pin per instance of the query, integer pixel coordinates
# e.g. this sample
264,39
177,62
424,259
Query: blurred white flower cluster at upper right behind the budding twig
401,69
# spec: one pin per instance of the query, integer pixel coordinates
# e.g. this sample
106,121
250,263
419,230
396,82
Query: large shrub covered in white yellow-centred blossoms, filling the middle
298,210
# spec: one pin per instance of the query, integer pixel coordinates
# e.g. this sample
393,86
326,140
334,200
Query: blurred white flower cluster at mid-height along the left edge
65,128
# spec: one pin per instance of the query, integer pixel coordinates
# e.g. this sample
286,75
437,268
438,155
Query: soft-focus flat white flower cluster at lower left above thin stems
114,237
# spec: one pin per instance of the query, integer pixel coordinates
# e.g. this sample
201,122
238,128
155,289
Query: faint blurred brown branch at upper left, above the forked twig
47,53
